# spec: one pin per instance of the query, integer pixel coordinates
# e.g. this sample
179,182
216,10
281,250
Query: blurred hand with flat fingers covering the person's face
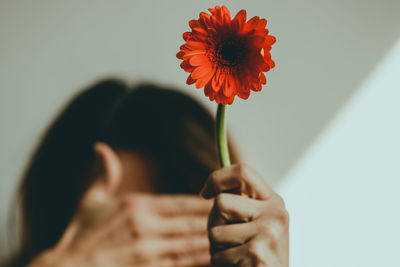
139,230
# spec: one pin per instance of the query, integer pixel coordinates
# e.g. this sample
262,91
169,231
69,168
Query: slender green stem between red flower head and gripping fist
222,144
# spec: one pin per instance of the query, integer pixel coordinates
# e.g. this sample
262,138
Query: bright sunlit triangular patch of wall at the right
343,195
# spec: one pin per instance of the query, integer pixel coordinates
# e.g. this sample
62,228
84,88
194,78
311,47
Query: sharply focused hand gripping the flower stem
248,224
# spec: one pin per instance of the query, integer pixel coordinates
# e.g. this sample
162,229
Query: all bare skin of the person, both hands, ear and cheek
121,222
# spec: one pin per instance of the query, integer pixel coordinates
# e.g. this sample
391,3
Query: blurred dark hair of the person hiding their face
174,130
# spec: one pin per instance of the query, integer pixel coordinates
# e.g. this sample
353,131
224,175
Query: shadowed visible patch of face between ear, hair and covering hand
139,174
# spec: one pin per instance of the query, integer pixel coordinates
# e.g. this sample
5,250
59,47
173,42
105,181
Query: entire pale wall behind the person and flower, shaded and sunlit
325,52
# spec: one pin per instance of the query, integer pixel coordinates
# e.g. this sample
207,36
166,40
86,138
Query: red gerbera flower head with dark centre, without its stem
227,56
